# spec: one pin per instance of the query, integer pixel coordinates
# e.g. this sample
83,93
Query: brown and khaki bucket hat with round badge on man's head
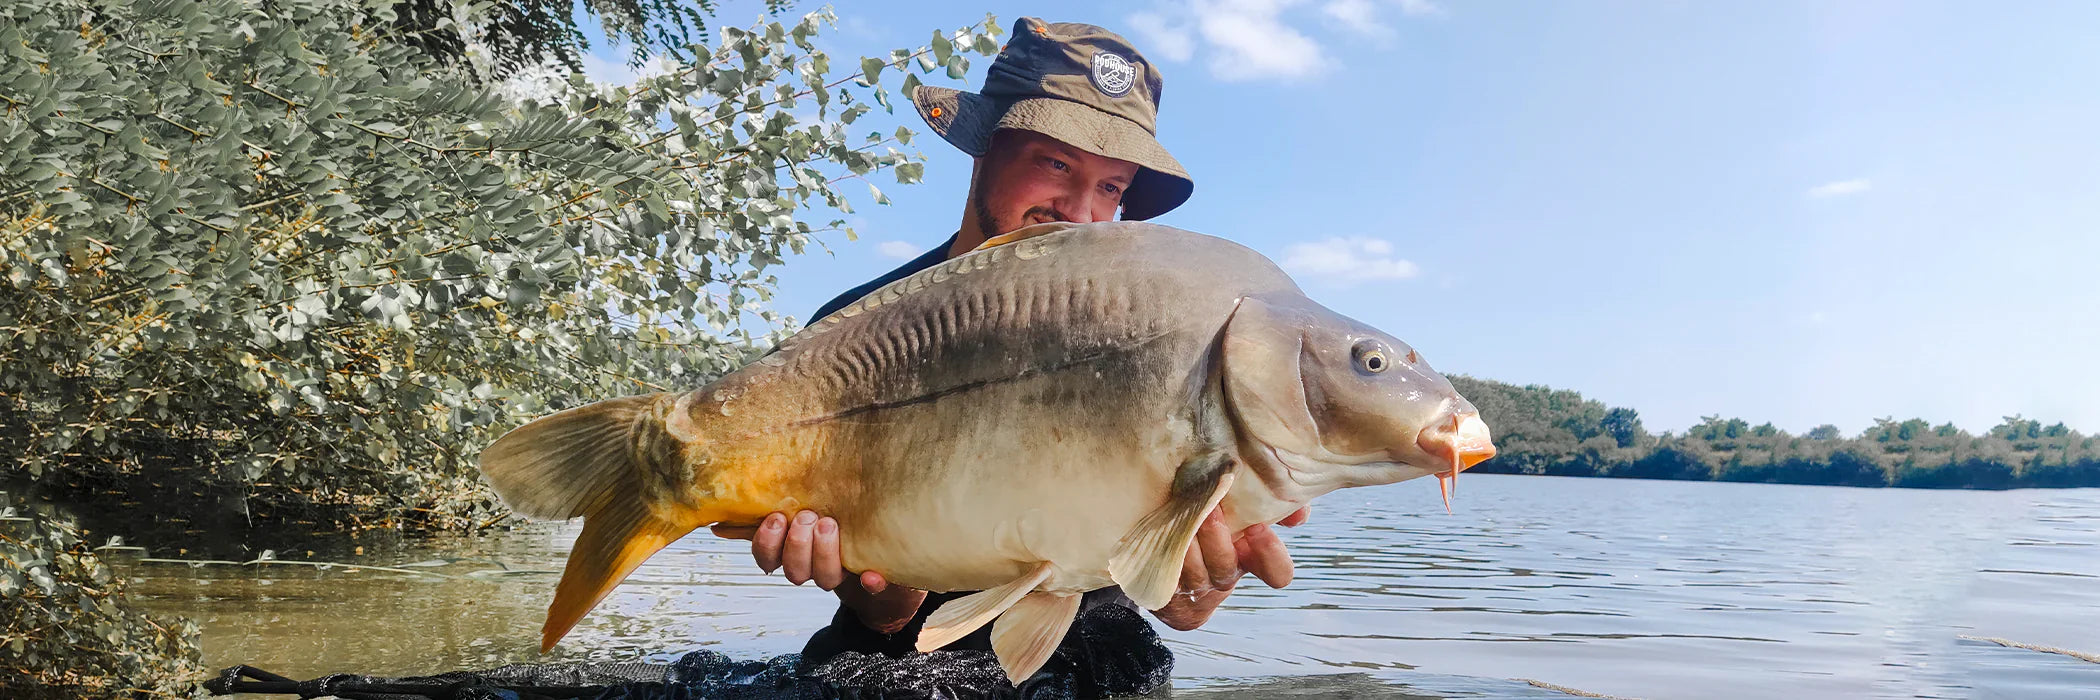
1072,83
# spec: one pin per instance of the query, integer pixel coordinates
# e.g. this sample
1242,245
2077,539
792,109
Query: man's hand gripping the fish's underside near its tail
807,550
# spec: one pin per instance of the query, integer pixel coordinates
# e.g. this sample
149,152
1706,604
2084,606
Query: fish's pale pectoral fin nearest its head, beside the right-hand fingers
1148,562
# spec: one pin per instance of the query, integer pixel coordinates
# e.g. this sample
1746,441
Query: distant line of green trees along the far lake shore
1553,432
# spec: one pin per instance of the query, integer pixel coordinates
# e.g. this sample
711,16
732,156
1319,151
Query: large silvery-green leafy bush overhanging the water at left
264,247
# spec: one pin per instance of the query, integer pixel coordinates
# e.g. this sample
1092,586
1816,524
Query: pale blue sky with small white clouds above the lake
1776,211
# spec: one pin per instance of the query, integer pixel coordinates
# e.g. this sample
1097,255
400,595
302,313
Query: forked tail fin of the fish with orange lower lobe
591,461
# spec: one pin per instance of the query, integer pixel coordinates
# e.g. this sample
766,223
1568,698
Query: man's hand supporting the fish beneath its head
1217,560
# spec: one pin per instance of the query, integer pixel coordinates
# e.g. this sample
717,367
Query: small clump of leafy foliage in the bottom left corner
66,627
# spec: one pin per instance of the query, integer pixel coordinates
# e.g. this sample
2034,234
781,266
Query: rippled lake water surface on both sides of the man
1645,590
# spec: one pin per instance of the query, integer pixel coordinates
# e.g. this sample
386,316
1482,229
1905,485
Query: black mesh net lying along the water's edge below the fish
1108,653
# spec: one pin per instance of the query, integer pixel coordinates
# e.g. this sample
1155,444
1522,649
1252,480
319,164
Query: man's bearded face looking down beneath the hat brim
1030,180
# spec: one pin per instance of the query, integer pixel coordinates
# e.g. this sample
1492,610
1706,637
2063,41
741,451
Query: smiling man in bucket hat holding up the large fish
1064,131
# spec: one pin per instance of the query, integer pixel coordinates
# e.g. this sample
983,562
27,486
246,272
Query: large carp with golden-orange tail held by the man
1047,415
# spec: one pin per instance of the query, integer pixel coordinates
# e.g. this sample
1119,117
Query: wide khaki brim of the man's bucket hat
969,121
